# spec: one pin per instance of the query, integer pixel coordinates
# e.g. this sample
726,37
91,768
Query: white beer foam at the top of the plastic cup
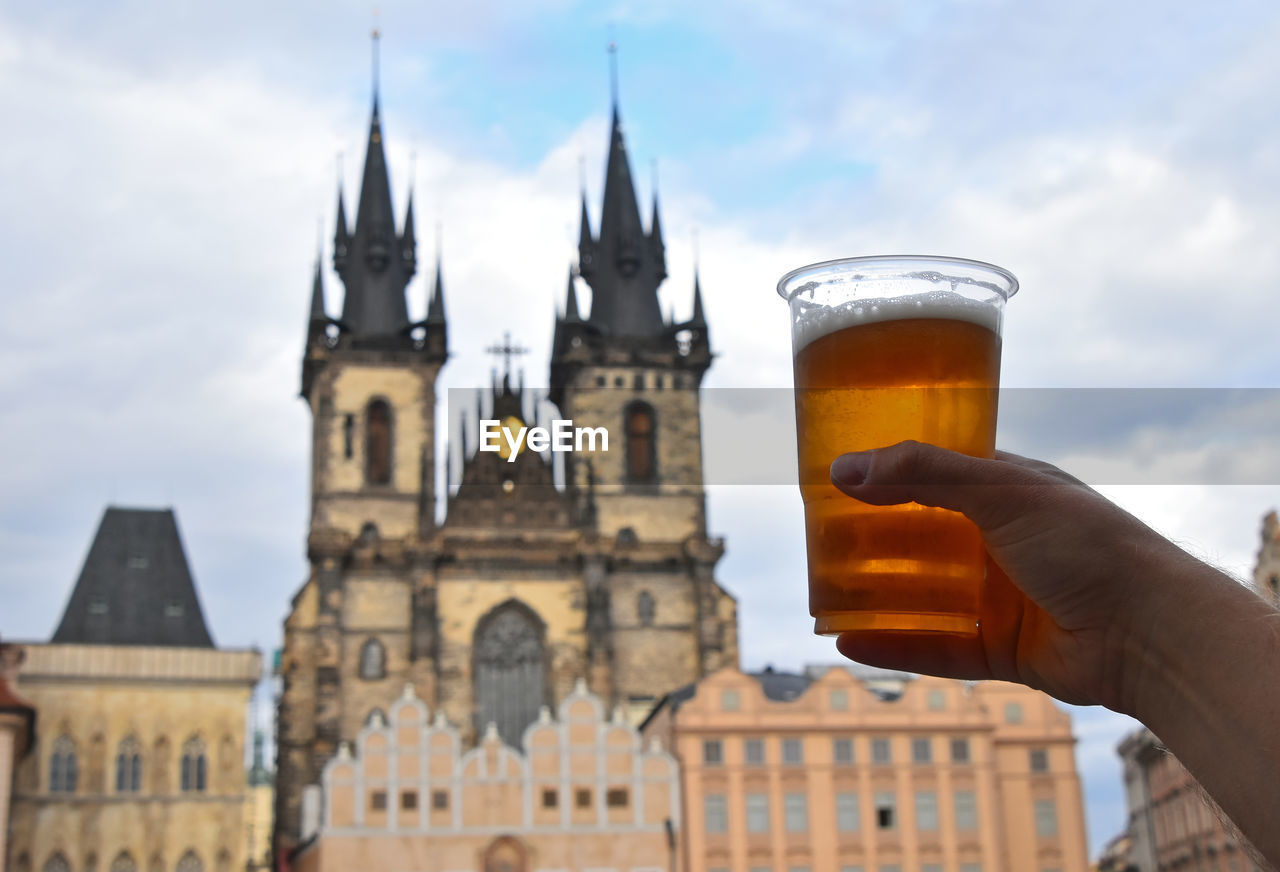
815,321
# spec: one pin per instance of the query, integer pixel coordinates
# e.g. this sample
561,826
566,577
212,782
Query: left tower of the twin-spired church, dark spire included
369,378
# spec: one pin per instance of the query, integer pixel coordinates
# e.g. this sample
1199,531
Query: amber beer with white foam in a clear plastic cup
871,373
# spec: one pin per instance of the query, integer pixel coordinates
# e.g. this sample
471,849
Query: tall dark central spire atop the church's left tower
373,272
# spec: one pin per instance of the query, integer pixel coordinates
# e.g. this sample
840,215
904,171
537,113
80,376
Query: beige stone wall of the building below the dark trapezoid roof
99,696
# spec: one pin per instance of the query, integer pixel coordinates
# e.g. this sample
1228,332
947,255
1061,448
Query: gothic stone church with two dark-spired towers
529,583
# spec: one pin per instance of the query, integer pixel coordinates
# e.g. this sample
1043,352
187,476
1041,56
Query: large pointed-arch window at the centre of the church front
510,670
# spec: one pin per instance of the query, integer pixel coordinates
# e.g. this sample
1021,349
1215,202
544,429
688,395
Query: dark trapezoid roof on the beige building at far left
136,587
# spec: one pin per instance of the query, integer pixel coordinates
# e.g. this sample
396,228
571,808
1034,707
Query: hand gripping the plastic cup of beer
1075,583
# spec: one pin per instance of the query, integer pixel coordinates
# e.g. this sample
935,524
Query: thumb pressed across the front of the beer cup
989,492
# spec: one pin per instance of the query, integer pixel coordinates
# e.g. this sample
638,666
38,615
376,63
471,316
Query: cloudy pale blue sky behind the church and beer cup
171,170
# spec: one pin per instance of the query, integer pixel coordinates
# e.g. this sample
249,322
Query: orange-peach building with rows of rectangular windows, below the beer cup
852,773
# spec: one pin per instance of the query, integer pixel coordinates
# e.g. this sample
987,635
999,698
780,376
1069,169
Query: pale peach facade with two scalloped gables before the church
582,793
